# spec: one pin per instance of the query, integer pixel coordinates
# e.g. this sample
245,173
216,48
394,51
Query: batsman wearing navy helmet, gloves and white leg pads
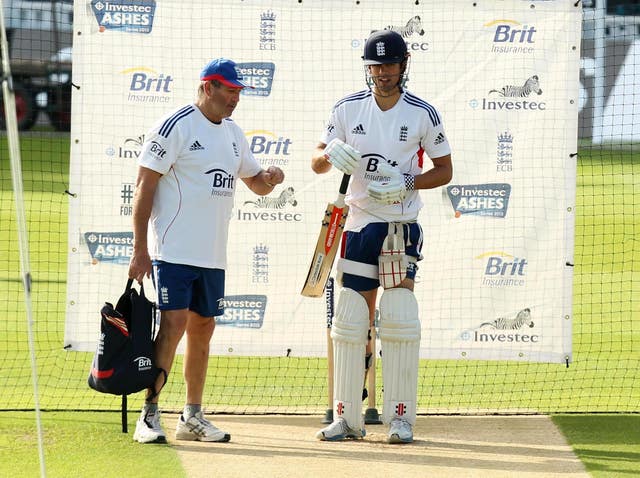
392,144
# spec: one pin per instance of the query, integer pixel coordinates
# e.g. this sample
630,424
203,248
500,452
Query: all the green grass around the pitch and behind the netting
603,378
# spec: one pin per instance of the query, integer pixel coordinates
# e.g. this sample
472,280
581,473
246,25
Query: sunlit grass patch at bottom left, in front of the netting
87,445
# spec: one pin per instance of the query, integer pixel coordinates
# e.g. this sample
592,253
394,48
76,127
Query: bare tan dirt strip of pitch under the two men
284,446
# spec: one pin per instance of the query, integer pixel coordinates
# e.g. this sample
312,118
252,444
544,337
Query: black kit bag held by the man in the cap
124,361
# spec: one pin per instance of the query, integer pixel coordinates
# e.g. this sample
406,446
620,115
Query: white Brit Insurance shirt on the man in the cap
201,163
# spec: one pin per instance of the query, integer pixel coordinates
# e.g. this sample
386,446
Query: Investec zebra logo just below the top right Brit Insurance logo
512,98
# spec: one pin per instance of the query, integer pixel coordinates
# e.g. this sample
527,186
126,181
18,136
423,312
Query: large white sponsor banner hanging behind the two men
493,282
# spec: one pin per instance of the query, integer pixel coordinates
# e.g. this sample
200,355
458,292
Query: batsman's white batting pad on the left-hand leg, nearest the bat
349,334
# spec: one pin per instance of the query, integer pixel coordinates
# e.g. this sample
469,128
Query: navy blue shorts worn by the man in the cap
195,288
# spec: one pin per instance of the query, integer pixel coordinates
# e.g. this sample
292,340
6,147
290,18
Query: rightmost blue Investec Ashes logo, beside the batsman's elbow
491,199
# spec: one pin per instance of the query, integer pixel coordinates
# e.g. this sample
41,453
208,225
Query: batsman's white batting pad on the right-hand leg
400,341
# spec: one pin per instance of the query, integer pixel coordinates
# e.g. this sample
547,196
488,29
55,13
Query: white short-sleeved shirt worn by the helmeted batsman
400,136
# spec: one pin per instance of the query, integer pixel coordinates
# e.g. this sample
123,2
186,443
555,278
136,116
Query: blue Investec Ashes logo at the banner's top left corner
131,16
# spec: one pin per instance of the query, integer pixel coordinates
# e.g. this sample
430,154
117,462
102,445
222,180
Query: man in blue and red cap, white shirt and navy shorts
187,177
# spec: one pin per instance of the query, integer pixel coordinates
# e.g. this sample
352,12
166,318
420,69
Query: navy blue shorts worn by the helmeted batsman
365,246
